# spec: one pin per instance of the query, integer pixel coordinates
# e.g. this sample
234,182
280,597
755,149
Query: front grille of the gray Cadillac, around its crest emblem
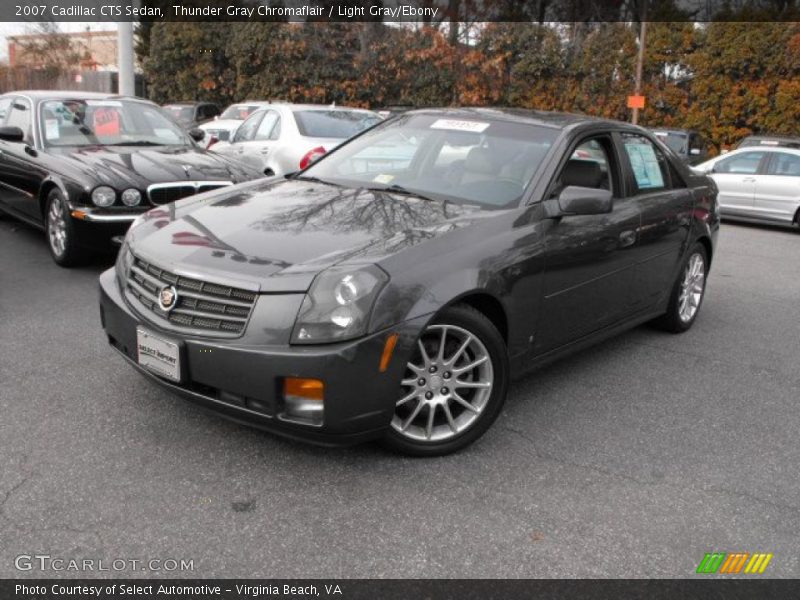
200,304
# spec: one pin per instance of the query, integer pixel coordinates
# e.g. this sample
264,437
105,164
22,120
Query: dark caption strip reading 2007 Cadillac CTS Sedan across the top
412,11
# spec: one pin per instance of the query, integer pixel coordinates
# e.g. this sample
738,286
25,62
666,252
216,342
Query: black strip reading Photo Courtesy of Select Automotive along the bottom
394,589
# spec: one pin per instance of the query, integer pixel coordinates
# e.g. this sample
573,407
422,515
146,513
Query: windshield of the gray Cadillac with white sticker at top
467,161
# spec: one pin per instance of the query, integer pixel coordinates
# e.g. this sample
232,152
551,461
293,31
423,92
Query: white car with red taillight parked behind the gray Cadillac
283,138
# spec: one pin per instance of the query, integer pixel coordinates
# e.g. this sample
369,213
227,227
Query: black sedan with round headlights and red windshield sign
83,166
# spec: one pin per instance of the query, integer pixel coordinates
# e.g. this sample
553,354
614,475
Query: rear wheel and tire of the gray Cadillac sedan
687,293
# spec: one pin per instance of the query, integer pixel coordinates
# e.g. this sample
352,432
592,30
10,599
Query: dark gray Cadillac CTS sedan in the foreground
393,288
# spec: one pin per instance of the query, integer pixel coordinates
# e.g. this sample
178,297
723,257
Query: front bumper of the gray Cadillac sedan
243,382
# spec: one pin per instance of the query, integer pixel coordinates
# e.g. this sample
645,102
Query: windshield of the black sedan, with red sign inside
77,122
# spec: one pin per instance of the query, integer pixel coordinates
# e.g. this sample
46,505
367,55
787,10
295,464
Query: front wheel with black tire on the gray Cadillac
454,385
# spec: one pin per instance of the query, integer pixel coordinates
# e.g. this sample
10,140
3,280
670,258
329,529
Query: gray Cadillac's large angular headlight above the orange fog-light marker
338,305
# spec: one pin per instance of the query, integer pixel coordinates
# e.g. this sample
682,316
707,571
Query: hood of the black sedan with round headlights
136,166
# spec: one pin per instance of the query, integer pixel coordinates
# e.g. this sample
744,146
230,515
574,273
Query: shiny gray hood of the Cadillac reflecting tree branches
278,236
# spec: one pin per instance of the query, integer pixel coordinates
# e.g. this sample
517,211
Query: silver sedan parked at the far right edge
758,183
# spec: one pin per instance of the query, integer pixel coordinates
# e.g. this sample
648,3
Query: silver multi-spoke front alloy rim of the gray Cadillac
446,387
